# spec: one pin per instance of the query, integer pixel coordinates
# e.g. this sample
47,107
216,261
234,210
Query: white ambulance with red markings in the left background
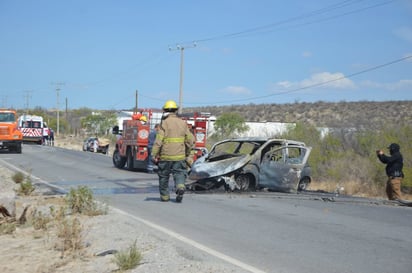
32,128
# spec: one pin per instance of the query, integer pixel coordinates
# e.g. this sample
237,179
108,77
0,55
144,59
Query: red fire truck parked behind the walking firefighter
131,150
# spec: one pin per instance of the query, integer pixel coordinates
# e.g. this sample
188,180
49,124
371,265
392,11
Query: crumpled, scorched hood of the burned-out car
200,170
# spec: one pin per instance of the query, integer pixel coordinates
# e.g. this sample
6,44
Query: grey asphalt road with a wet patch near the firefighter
262,232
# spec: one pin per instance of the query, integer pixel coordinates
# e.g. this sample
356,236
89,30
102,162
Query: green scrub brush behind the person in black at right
348,159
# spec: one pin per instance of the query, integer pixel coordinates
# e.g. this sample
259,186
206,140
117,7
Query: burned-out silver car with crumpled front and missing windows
248,164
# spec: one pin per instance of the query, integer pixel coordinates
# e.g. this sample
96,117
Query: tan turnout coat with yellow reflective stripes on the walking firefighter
174,141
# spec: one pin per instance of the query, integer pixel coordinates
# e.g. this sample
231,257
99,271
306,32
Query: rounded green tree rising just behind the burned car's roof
229,125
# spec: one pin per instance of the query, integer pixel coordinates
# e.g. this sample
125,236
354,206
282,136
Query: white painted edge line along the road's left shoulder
173,234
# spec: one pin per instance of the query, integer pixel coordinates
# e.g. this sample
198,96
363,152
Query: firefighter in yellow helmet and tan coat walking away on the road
173,144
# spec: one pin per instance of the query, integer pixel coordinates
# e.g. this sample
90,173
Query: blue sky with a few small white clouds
247,51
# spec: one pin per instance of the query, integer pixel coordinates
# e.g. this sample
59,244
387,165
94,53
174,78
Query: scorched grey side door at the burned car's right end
281,168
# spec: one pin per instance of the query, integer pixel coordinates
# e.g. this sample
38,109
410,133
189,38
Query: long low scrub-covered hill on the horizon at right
362,114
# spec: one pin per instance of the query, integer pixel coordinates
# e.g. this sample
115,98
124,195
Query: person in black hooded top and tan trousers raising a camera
394,165
